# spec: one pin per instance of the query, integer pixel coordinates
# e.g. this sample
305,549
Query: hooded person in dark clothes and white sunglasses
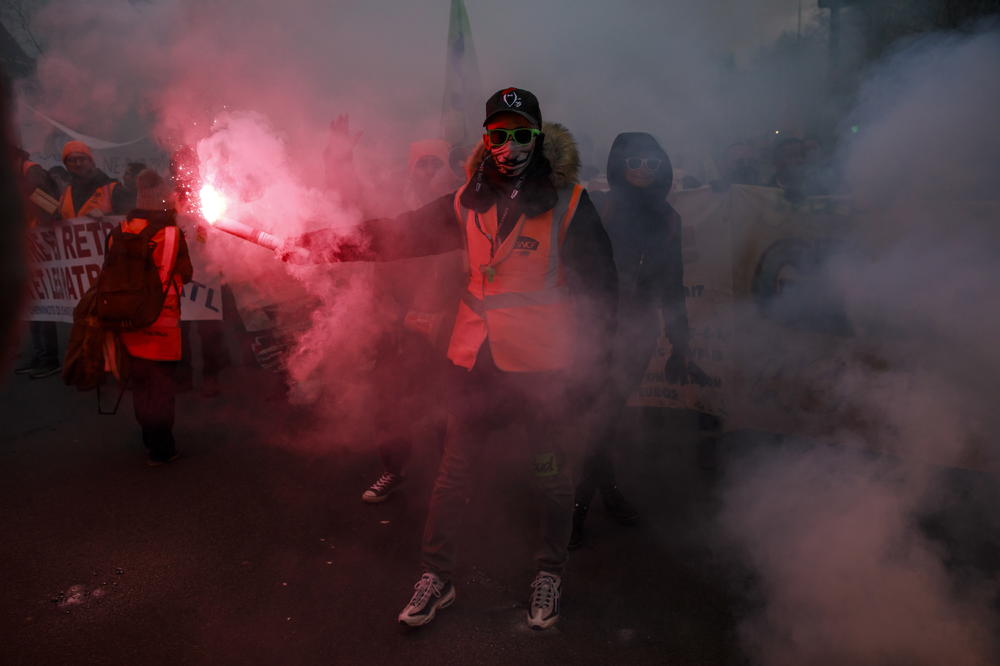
645,233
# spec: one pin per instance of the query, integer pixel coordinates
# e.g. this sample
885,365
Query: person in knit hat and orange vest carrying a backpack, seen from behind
155,350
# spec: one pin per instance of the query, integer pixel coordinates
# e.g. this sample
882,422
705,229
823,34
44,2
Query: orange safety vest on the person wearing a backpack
160,341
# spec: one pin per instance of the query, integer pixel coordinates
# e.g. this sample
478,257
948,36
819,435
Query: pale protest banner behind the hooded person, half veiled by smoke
739,248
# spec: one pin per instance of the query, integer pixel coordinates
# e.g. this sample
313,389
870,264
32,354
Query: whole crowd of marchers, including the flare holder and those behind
533,299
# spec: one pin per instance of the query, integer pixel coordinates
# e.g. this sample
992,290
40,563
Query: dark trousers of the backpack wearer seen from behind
153,396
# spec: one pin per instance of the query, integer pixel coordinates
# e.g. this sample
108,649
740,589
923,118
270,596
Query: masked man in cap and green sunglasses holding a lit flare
533,327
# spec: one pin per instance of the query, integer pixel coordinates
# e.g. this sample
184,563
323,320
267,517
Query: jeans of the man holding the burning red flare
533,409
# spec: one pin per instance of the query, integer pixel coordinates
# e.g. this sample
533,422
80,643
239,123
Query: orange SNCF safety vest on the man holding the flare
517,297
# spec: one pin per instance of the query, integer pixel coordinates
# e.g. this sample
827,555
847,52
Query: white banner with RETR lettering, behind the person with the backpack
66,258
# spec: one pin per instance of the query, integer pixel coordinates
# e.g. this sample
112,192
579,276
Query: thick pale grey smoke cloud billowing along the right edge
832,533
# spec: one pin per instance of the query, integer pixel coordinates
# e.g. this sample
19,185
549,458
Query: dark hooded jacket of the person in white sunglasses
645,233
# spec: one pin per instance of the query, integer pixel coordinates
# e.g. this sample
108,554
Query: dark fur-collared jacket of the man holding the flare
586,251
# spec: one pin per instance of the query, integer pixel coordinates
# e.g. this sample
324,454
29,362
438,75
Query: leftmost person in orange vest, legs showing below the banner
36,185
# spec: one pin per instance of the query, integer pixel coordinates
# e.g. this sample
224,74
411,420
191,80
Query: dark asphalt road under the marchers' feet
255,548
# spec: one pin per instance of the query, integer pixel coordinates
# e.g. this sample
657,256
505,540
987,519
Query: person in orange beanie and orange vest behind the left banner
91,191
